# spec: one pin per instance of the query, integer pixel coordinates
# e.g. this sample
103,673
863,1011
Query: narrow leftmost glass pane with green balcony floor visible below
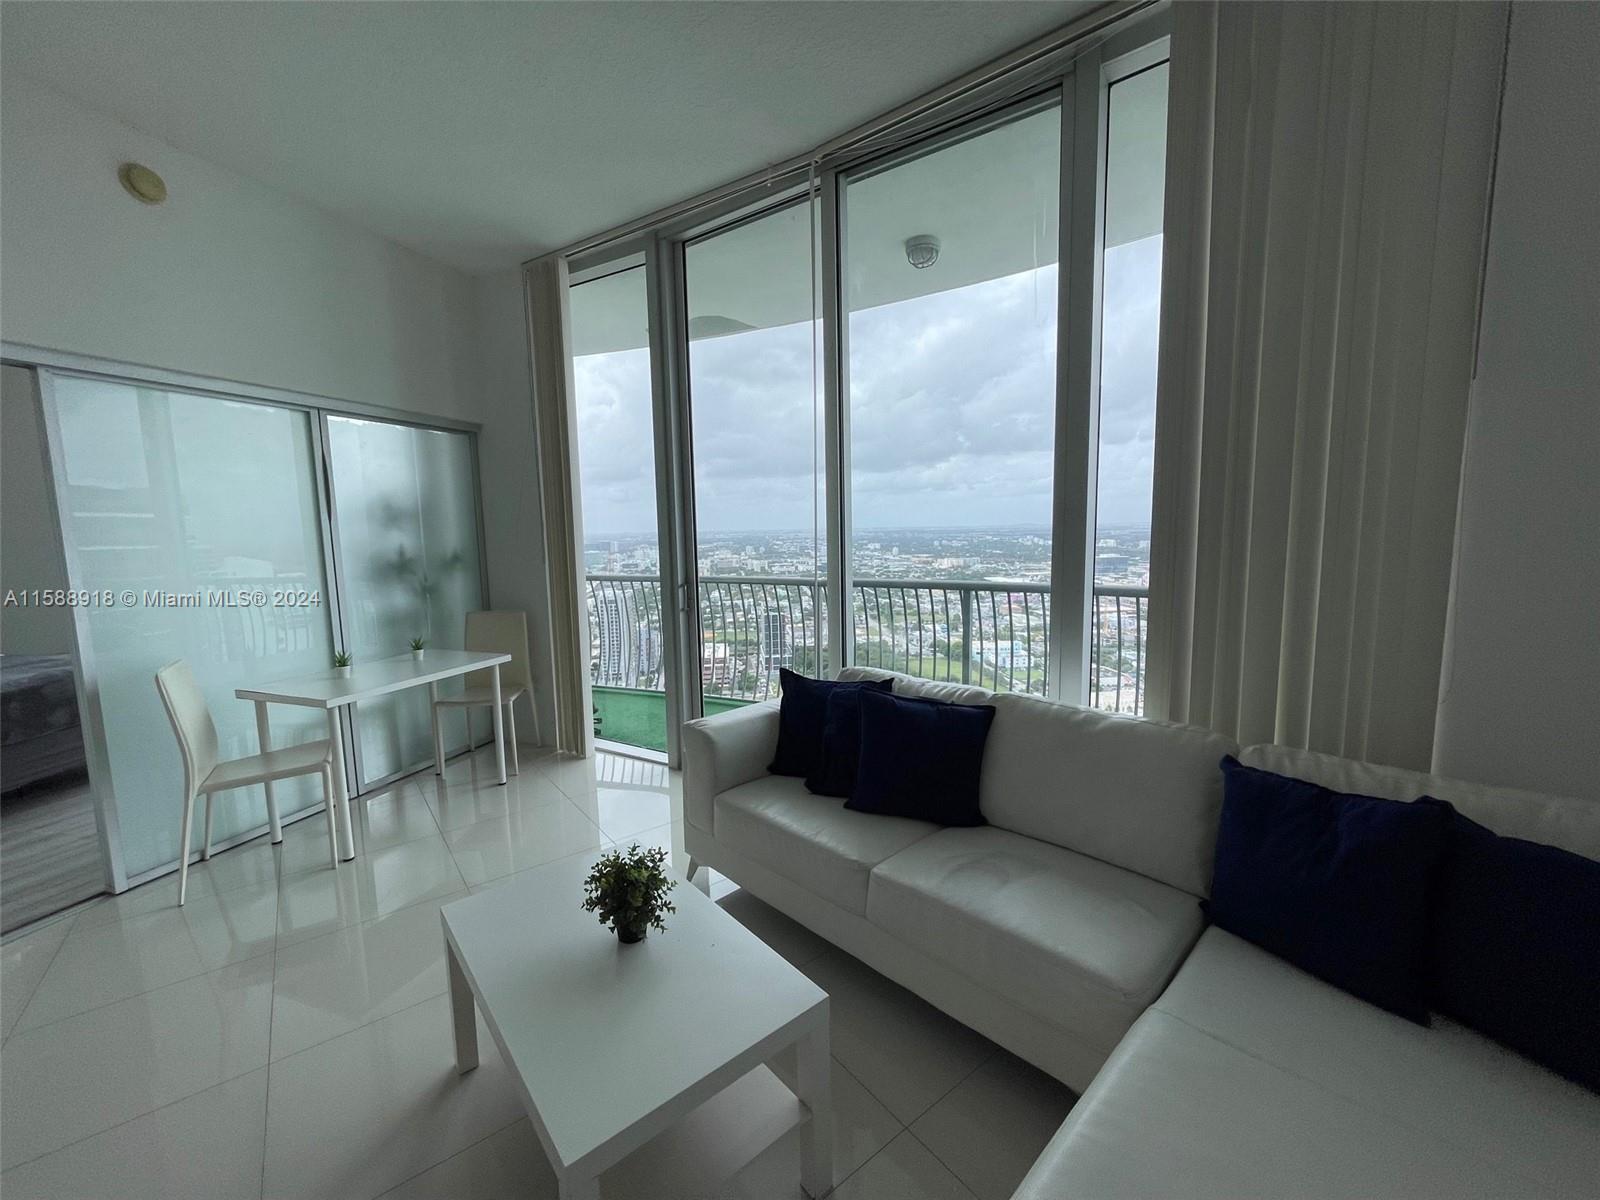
617,454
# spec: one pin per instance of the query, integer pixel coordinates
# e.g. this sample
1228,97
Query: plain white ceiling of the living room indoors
484,134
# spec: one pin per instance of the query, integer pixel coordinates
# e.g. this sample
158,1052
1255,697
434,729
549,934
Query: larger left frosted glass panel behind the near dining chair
194,526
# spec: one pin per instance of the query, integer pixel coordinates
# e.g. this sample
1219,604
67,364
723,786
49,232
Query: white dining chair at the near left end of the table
204,775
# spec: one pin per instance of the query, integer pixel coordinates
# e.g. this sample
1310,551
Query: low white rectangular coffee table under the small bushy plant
612,1044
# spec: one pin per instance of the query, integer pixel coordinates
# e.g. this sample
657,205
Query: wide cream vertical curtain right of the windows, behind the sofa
1329,174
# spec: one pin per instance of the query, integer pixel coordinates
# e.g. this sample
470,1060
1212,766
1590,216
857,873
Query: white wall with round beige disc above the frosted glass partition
234,281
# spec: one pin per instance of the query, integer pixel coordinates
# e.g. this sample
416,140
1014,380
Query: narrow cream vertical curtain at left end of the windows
556,428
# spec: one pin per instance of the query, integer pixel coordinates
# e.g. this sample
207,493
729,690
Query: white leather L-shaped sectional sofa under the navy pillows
1070,932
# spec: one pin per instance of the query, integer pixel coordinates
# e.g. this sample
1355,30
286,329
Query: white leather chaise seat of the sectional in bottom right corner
1249,1078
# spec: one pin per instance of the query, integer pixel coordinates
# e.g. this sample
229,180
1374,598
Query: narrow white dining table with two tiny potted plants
330,690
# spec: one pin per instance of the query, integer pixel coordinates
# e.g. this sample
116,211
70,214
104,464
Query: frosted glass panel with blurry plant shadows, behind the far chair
407,529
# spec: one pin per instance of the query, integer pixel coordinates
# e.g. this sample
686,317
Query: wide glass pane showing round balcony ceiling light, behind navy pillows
951,286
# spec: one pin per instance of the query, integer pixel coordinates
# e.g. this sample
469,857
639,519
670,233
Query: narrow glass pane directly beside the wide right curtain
1130,326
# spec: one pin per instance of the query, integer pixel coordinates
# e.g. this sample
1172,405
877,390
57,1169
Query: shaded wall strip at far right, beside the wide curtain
1521,698
